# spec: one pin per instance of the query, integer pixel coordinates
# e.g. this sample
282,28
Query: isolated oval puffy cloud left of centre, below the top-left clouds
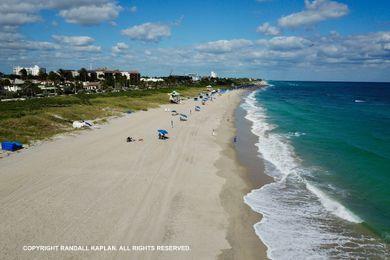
148,32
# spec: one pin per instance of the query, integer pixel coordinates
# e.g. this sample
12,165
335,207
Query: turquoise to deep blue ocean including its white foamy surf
327,147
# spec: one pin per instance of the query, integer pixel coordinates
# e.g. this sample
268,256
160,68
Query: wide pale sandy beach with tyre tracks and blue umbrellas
94,188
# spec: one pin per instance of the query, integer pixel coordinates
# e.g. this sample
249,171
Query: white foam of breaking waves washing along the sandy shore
296,214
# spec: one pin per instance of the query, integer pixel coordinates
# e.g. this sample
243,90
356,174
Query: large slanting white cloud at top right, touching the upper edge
316,11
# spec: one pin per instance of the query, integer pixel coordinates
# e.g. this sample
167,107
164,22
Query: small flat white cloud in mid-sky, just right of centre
223,46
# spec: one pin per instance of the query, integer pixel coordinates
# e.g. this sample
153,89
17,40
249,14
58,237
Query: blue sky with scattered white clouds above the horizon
340,40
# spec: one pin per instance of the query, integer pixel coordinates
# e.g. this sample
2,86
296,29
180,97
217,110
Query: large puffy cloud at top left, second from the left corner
91,14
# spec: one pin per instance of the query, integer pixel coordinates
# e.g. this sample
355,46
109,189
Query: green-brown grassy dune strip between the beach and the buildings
38,119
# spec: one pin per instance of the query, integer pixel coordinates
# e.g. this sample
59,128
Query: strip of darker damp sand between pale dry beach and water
241,235
